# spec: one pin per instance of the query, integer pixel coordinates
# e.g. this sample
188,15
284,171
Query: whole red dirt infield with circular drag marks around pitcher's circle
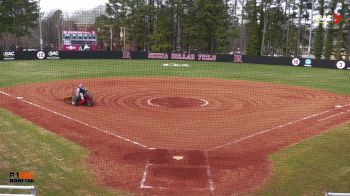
181,136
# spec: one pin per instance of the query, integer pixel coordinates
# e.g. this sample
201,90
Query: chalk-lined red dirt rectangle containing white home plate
177,169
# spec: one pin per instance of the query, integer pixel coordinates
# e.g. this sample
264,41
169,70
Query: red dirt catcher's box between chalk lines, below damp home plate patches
168,177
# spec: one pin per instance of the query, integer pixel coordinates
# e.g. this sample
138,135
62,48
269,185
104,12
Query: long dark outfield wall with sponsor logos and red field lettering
288,61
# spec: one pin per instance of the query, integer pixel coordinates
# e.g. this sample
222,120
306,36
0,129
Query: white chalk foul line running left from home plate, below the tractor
78,121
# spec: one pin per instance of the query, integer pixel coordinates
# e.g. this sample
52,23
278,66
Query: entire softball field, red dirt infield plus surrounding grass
205,128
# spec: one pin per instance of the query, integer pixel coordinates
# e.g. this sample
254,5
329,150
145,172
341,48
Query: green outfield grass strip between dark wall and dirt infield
19,72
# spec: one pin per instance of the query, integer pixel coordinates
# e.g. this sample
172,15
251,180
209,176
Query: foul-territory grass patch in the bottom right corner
313,167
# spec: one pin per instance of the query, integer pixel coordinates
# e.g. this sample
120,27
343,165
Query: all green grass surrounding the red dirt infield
310,168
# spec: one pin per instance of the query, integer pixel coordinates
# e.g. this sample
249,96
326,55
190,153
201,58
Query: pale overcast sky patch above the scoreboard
69,5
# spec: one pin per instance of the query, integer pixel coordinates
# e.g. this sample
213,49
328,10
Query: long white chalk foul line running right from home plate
272,129
